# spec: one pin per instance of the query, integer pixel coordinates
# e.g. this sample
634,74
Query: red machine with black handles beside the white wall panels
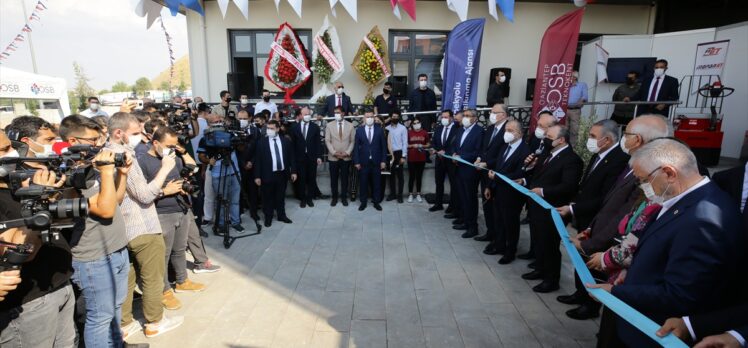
703,133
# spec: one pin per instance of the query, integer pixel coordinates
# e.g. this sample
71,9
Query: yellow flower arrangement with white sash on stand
371,62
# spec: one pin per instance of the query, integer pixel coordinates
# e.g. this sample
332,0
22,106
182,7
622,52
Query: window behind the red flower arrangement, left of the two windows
249,51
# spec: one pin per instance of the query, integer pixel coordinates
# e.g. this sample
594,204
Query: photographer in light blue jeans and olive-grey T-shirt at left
98,242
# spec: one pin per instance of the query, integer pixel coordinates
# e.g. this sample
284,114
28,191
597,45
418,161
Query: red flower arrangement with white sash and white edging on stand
287,66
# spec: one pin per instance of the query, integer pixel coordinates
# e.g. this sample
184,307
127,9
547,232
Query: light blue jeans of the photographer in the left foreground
103,285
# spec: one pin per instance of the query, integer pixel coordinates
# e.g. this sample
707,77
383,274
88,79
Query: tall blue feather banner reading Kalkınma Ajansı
461,65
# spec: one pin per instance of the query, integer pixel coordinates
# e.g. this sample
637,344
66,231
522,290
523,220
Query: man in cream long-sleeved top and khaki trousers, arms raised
145,242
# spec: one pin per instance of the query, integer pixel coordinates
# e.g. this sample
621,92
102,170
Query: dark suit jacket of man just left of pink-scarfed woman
618,202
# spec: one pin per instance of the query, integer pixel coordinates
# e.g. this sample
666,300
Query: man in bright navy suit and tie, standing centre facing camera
369,153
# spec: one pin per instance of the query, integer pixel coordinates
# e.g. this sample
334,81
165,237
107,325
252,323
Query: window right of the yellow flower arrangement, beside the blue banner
413,53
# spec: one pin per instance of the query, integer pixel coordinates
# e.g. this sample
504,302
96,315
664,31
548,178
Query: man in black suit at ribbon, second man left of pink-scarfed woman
603,170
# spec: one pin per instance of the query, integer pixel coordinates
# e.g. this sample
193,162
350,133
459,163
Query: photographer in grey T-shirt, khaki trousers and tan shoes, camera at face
173,210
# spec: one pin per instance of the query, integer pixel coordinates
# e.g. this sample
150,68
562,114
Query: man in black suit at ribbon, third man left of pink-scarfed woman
555,178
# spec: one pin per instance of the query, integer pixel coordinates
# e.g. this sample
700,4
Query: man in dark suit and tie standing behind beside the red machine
660,87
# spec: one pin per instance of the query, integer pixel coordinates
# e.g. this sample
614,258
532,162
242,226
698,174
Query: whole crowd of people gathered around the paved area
653,228
